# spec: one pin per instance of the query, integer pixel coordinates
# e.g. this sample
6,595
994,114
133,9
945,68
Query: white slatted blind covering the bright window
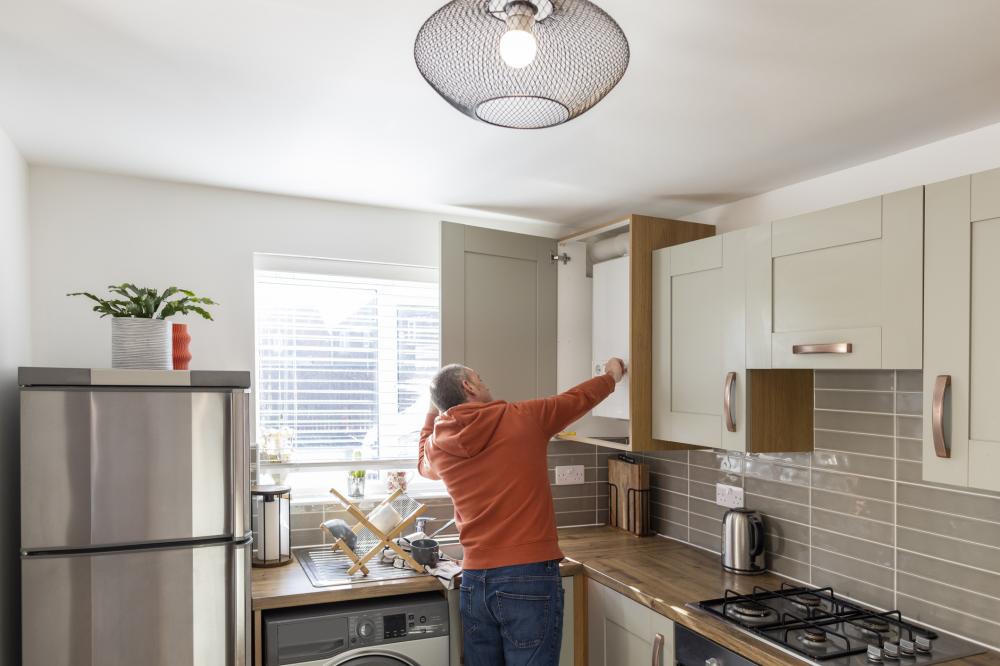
345,361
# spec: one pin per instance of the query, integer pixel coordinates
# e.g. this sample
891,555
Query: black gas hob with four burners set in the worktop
820,627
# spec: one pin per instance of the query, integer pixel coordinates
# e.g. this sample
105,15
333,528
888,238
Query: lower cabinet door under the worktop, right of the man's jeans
622,631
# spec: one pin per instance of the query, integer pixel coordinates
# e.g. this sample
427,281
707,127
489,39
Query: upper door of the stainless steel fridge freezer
108,467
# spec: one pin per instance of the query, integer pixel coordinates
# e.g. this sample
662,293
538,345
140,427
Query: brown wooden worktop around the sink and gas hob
659,573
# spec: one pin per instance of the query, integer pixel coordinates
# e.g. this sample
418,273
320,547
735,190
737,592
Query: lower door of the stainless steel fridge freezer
158,607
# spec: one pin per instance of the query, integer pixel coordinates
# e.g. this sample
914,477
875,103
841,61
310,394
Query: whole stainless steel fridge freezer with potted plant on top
135,526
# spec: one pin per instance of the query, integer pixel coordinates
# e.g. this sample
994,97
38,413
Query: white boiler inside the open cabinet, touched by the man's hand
611,317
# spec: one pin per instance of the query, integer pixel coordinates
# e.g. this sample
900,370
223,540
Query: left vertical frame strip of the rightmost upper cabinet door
947,281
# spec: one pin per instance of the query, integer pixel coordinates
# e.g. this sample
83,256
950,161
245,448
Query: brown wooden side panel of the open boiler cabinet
648,234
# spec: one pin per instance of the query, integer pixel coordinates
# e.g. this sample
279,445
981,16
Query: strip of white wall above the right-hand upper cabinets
955,156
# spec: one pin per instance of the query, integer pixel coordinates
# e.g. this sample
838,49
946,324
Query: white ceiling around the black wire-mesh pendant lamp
321,98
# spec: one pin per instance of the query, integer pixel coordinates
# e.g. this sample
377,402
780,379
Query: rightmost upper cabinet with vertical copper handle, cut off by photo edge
961,329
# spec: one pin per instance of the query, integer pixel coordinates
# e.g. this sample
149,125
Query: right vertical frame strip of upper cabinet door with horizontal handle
903,279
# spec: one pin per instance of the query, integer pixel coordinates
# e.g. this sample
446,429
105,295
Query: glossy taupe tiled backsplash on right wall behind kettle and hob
855,513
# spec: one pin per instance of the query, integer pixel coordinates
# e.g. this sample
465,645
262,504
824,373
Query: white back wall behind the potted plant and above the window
89,230
